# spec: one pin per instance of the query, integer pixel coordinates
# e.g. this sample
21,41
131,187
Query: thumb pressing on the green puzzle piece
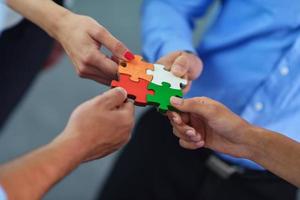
200,105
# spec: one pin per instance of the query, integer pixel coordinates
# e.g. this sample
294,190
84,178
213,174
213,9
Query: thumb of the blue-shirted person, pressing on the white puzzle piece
180,66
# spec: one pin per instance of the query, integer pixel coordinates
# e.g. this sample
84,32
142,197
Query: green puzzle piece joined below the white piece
162,95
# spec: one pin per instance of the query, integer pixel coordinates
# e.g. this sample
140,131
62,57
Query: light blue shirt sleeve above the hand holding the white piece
167,25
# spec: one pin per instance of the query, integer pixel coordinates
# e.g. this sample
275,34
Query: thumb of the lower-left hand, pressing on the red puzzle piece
113,98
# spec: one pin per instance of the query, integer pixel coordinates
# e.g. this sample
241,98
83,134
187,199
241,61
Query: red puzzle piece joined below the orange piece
136,90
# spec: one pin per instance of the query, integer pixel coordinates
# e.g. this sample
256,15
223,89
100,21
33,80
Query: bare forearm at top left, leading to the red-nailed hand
44,13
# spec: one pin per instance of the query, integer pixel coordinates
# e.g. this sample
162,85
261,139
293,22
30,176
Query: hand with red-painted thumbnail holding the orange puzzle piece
82,37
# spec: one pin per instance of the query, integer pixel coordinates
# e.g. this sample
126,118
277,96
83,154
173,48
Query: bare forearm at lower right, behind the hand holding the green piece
277,153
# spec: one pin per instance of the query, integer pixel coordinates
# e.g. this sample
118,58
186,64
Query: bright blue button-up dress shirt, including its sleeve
251,55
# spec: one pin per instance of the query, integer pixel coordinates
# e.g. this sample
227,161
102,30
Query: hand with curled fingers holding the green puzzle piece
207,123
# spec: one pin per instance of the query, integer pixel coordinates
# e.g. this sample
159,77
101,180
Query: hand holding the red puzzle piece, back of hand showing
101,125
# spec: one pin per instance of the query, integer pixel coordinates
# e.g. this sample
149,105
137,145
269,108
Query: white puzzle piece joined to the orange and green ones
160,75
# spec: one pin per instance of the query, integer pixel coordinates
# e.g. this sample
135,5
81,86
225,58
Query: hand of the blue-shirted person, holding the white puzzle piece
182,64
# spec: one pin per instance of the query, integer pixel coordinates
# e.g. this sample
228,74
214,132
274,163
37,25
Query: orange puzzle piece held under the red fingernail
136,69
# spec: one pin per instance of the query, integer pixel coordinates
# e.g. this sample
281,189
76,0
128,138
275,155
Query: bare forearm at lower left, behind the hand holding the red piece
32,175
